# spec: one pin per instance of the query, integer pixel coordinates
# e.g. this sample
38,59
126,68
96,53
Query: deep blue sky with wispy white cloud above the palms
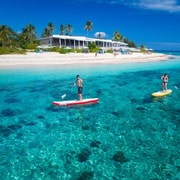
153,23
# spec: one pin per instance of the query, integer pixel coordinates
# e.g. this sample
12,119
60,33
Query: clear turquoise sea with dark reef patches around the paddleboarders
128,135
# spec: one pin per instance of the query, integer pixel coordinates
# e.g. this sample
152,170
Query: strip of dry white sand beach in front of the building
51,58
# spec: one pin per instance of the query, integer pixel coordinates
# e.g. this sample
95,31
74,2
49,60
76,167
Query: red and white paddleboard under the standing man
75,102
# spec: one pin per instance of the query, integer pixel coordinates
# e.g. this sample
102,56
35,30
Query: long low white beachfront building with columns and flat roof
80,42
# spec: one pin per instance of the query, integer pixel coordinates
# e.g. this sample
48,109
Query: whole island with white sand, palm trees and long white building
26,49
